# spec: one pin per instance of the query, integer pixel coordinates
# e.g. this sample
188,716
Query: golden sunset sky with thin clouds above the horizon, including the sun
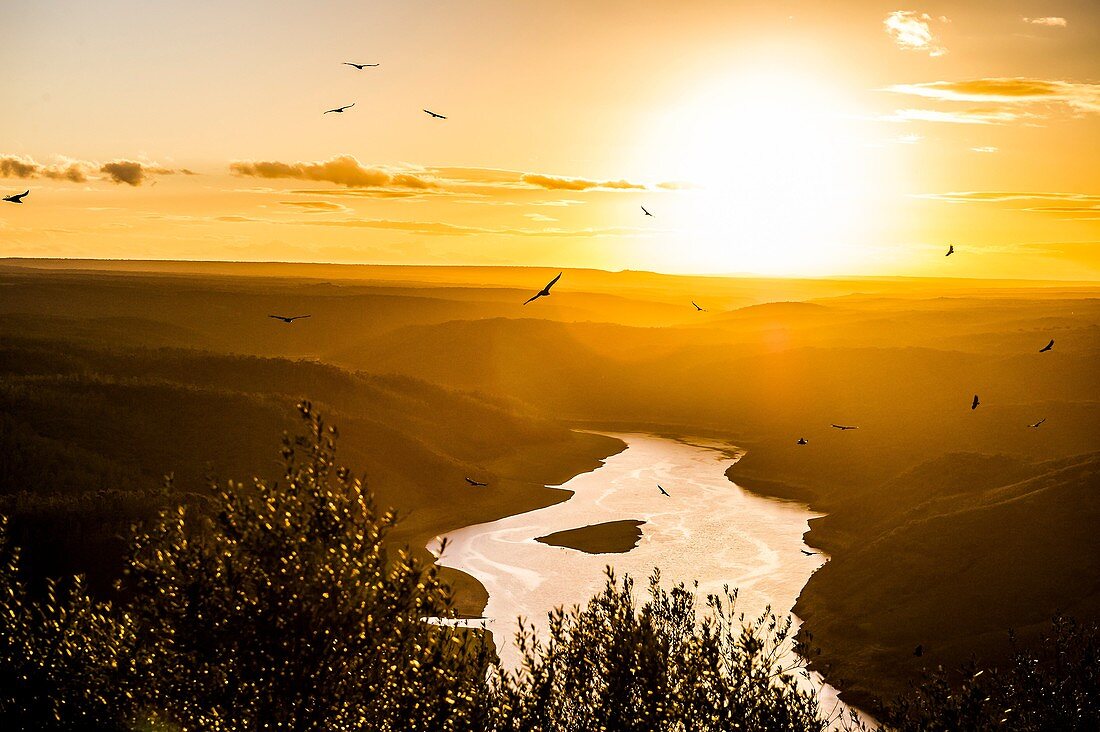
782,138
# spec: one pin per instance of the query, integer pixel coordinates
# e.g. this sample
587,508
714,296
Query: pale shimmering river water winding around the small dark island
709,530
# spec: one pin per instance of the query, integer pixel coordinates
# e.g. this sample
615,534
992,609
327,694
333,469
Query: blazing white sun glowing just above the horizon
777,174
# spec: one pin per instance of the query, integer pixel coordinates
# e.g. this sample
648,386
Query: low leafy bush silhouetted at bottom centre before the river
614,667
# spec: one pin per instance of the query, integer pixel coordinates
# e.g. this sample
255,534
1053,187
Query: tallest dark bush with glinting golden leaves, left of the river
281,607
